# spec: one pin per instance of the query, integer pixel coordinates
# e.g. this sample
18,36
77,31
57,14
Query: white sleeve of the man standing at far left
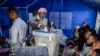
14,35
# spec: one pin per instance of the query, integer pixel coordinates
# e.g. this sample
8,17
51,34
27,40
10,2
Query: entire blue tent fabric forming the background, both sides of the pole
66,14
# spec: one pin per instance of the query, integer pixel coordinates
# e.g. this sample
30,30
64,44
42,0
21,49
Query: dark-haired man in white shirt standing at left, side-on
18,29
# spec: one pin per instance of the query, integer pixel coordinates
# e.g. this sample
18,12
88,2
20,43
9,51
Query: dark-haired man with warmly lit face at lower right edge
94,41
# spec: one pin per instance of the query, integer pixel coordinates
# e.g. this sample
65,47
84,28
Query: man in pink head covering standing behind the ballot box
40,21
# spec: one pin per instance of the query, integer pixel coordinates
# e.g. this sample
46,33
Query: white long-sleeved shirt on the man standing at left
17,32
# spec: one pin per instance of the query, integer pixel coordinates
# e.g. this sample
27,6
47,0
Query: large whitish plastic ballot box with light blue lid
50,39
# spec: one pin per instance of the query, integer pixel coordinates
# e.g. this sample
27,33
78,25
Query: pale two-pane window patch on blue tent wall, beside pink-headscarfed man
63,20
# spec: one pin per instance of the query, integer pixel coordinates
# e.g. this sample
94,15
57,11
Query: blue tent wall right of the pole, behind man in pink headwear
67,13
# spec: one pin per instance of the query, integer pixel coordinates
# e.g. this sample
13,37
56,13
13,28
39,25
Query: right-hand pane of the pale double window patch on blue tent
66,20
